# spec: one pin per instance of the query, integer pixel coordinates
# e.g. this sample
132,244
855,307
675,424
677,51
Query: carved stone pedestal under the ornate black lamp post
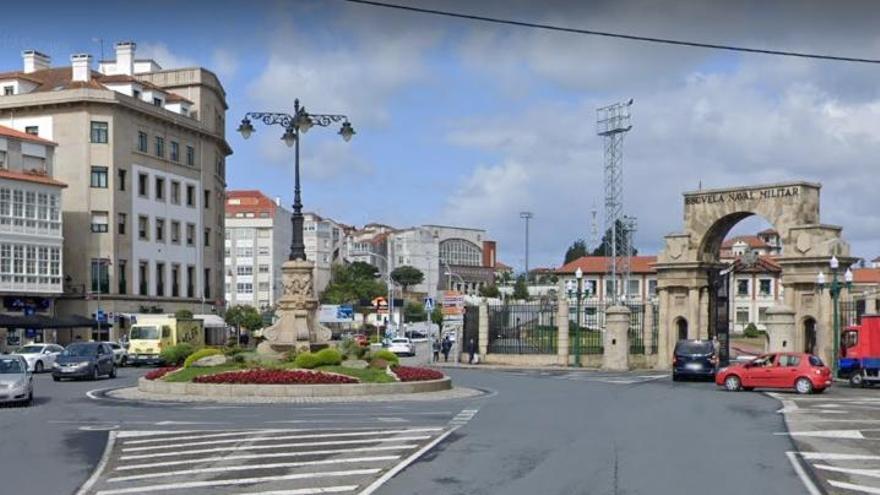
297,327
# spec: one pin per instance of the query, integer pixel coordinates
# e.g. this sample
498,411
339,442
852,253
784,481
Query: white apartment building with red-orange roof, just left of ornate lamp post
258,235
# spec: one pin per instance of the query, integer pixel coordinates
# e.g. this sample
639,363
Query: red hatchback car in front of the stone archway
805,373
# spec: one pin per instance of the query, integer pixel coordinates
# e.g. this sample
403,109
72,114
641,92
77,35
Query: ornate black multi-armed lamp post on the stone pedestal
300,122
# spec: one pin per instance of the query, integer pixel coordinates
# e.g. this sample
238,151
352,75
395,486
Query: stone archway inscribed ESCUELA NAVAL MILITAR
684,265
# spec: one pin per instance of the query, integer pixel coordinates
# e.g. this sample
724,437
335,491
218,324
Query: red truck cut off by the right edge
859,358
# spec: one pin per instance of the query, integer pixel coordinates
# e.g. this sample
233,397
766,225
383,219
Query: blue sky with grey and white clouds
466,123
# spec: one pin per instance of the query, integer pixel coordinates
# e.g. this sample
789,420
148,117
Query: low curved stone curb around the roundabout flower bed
341,390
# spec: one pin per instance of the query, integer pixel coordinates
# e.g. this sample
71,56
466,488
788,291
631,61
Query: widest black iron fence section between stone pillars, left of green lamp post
528,328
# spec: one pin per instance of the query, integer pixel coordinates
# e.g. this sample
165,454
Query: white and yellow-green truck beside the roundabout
149,334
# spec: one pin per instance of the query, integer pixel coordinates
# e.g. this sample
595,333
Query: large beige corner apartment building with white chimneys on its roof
143,152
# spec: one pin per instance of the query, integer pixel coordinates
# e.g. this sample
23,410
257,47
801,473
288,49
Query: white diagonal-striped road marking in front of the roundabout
254,461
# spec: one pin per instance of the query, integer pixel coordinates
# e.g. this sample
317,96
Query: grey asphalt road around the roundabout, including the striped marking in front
562,432
